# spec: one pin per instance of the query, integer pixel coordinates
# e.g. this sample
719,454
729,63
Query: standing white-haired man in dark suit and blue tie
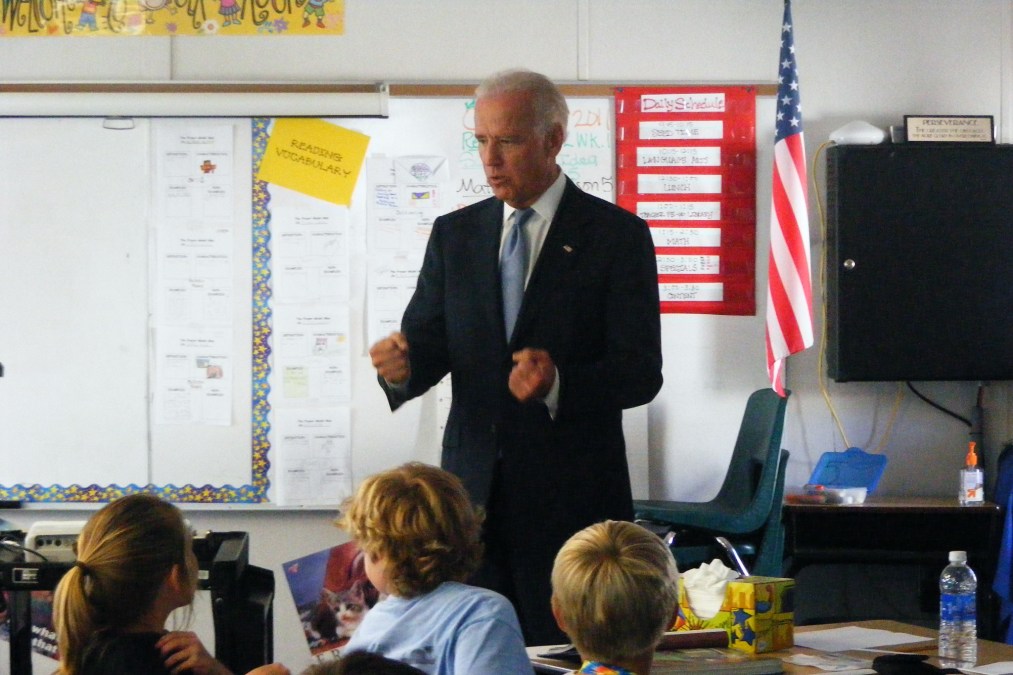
535,427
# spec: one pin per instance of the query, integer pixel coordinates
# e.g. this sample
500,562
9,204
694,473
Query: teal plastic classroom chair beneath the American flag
747,509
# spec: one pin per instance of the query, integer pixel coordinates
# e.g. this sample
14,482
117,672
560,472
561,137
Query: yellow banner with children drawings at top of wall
24,19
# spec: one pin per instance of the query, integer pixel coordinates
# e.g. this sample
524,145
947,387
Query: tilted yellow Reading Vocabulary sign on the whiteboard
315,158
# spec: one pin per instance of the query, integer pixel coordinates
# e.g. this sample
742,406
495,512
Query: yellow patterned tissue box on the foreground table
758,613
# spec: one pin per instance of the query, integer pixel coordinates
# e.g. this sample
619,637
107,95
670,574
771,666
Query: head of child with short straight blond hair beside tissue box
615,590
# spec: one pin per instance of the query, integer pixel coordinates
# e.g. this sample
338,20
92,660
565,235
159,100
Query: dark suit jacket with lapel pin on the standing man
592,302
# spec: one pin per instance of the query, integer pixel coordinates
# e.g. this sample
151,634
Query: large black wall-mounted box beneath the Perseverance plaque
920,262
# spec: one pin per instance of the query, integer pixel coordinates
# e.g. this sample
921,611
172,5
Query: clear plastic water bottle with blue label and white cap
958,614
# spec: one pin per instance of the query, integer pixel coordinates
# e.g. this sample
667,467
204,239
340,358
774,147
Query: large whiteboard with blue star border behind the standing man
76,334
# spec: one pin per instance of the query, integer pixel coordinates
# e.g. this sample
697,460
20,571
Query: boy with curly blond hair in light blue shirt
421,537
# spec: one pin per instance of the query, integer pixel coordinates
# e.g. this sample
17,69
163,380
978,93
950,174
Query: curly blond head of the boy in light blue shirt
419,520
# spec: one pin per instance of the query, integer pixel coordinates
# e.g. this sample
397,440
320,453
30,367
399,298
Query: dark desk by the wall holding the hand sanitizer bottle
912,531
